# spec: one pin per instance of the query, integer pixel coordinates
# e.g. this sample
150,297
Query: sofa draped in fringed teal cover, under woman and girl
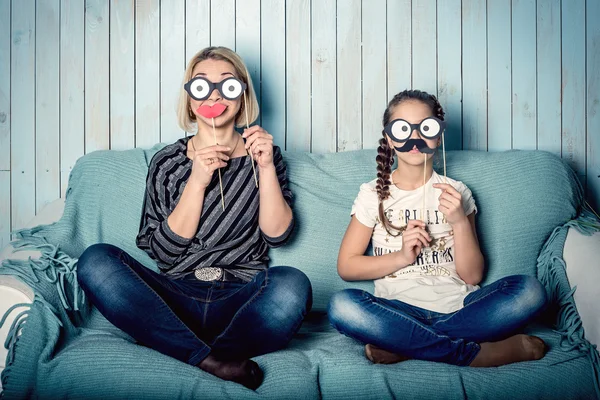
530,206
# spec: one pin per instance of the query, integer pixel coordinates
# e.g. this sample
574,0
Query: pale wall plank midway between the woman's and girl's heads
324,124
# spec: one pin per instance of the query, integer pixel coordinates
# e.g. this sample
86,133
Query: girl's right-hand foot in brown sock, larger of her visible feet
514,349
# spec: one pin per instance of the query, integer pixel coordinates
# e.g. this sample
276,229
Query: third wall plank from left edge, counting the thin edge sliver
47,102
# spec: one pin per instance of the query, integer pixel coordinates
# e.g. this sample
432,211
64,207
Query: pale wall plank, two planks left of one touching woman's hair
122,75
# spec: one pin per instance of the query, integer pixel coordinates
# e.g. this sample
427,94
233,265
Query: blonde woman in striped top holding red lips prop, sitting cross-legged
208,225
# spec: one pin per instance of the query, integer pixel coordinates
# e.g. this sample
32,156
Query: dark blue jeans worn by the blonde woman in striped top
186,318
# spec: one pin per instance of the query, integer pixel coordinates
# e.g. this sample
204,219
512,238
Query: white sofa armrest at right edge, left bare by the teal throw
582,257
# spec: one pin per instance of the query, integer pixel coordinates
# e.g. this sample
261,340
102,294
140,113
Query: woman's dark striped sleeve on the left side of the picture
156,237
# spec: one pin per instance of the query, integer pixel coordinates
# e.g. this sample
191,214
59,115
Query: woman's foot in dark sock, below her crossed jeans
245,372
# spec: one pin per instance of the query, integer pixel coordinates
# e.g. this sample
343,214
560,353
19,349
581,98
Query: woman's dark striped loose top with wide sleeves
229,239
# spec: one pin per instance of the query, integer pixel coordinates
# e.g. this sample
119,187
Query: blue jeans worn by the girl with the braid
491,313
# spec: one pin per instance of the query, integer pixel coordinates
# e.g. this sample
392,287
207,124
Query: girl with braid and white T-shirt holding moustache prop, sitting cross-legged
426,261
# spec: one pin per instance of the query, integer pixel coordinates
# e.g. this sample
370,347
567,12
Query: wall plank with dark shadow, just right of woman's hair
272,50
